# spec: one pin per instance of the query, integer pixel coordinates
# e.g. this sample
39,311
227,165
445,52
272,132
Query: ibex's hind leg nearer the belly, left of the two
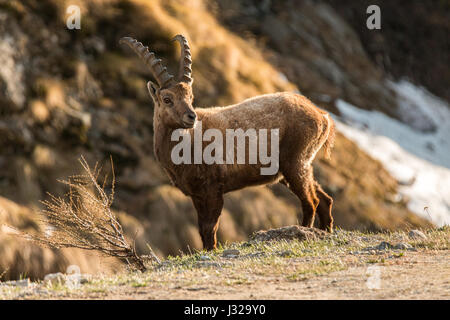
302,185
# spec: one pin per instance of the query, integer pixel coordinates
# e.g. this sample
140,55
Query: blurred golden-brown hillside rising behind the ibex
66,93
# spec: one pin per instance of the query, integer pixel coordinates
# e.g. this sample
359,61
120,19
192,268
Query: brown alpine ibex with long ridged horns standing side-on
302,130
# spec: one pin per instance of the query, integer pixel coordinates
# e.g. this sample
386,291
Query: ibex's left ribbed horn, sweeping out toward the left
162,76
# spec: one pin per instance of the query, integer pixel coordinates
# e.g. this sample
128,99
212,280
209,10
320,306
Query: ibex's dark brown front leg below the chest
209,208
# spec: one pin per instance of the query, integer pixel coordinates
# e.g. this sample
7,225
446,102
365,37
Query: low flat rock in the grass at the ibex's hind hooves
290,233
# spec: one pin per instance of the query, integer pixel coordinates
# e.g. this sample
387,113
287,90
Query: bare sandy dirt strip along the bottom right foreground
424,275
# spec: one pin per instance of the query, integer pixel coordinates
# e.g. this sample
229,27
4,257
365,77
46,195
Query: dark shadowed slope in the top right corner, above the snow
395,48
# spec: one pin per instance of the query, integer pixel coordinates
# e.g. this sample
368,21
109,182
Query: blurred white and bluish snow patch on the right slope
419,161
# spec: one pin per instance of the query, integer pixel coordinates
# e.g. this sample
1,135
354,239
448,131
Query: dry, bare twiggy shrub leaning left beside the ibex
83,219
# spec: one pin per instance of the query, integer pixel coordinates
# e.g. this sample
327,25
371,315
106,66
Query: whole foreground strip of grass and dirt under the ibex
340,266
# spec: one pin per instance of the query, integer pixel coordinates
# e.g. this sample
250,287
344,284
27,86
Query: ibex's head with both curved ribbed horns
172,96
